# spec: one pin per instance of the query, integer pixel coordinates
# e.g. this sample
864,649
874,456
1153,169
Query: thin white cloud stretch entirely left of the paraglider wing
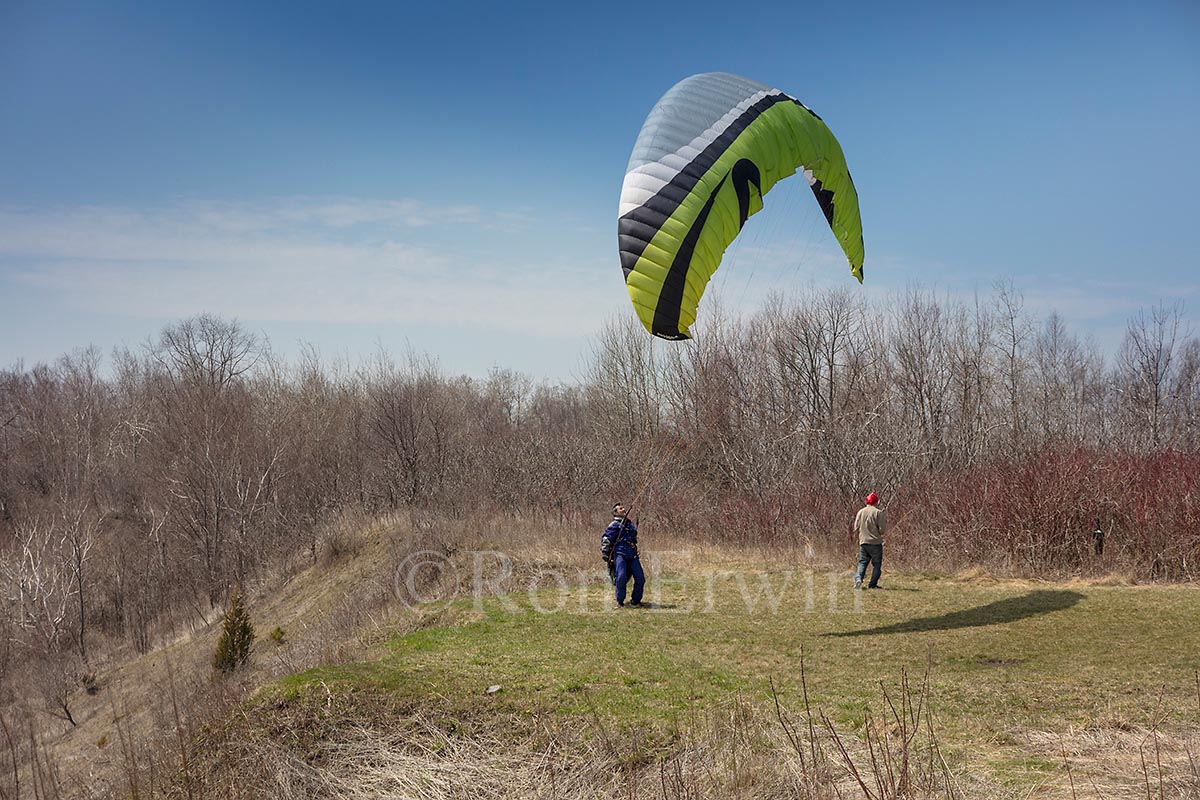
297,260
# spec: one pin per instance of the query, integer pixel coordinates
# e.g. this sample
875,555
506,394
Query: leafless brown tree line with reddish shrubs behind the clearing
143,488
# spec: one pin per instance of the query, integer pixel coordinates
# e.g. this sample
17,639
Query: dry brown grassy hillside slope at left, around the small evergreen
327,609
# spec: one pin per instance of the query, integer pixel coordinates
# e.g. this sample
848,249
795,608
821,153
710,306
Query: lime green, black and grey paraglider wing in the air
707,154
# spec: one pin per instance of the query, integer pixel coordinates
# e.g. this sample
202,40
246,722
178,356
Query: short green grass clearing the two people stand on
1013,666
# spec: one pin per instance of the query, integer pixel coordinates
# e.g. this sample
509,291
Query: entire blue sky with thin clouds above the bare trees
446,176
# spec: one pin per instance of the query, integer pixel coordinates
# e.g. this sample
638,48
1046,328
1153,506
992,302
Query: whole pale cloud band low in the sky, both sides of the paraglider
478,275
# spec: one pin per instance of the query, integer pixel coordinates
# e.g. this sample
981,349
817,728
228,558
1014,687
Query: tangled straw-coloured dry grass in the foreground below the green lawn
321,747
